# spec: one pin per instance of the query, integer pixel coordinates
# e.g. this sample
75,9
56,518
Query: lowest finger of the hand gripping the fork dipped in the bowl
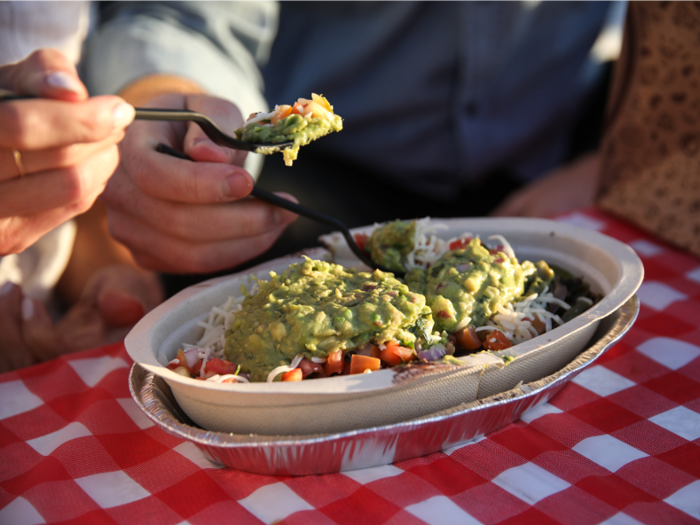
155,250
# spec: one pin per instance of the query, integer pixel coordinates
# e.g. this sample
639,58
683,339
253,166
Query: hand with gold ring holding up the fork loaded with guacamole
65,143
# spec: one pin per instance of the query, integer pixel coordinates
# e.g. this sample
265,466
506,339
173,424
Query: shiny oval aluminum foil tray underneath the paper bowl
369,447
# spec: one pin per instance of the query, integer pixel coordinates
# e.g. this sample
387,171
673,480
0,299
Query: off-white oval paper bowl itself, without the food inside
345,403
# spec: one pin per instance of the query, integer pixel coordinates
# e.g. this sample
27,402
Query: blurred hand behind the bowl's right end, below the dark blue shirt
562,190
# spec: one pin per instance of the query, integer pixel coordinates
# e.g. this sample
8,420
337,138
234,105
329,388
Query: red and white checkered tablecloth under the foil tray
618,445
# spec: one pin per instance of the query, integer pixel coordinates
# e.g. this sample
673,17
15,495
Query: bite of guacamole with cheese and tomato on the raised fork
305,121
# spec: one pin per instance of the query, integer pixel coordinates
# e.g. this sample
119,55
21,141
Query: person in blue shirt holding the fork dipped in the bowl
448,107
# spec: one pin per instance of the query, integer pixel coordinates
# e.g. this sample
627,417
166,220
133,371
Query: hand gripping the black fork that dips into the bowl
188,217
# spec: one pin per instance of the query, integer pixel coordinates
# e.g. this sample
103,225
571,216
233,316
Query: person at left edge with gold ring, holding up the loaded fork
56,155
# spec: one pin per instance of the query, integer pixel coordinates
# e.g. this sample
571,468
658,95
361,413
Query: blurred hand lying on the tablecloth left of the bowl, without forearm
113,301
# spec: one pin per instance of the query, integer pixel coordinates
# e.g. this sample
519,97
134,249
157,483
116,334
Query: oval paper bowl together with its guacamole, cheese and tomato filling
316,343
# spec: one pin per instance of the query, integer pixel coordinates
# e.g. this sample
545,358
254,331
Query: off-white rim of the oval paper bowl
631,273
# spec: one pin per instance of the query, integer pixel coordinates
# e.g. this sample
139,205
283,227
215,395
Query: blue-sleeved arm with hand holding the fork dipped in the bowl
170,212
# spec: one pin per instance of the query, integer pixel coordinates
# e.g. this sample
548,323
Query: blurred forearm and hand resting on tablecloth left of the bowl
105,290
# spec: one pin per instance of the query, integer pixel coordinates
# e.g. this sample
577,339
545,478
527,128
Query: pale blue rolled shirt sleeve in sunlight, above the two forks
220,45
